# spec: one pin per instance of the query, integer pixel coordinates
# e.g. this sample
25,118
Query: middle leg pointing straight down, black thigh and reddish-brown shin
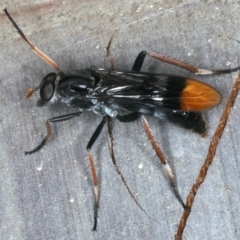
93,169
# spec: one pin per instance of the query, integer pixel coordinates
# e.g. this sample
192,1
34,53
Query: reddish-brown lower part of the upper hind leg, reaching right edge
188,67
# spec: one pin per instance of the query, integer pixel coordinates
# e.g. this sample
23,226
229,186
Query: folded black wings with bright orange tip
141,89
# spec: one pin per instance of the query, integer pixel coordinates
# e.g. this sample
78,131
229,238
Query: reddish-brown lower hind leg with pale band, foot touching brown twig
163,160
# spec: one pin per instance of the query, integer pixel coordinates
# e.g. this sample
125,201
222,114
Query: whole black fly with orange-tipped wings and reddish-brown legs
127,95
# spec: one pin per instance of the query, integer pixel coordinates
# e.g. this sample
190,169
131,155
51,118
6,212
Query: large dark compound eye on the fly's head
48,87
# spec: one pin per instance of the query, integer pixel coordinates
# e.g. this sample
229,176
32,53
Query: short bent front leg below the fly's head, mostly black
49,130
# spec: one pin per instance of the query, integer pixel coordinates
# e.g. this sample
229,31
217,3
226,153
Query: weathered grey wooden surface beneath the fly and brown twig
49,195
